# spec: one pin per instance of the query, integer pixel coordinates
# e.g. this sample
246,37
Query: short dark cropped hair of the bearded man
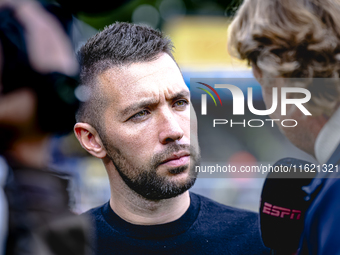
117,45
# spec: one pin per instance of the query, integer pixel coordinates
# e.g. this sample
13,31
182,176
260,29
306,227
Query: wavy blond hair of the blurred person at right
292,39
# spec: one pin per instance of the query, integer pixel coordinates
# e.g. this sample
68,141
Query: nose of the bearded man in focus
170,129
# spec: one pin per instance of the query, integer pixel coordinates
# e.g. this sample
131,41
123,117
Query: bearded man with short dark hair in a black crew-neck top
139,120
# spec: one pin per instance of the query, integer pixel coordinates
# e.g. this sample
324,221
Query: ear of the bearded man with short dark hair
89,139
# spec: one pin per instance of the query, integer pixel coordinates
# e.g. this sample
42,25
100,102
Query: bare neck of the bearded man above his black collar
135,209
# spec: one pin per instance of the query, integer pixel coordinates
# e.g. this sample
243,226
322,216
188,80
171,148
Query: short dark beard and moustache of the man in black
147,183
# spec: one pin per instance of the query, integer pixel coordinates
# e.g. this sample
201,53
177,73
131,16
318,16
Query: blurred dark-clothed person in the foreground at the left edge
37,70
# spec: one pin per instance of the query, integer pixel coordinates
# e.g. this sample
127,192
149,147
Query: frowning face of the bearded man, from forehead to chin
147,127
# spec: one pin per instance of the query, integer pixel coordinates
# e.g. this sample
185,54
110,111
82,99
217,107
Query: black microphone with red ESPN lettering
283,207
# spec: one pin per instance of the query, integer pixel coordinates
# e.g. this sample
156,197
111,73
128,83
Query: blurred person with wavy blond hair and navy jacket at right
301,39
